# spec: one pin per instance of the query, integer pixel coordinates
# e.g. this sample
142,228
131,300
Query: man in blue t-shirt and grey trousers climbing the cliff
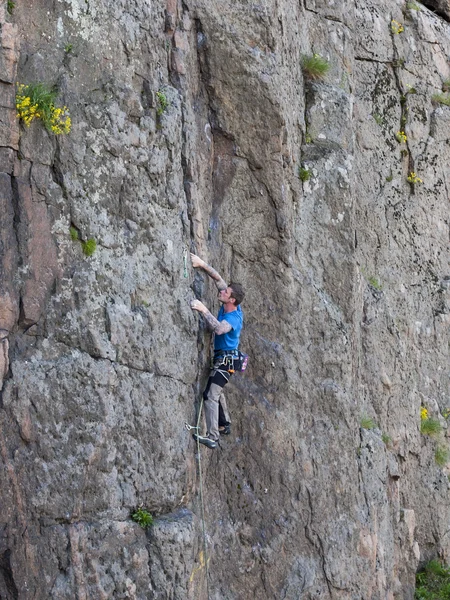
227,329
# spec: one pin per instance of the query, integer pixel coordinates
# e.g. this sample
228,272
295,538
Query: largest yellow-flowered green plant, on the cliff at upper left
37,101
